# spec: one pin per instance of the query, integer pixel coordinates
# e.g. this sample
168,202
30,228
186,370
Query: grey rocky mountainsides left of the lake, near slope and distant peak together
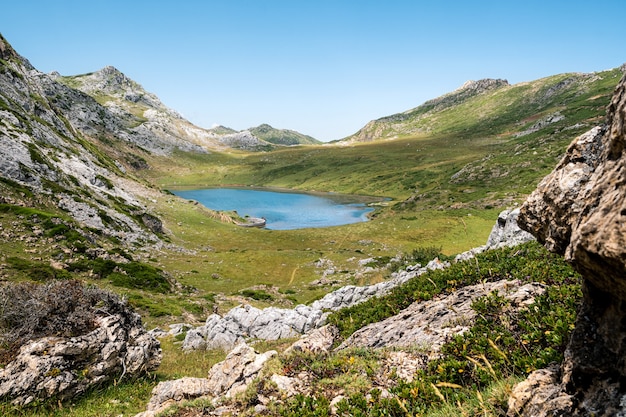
75,141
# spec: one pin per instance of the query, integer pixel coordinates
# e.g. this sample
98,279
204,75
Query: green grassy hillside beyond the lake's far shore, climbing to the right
487,150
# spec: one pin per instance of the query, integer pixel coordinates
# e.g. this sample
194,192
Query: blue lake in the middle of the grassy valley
283,210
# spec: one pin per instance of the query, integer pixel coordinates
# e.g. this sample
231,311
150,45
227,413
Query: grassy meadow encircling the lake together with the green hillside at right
445,187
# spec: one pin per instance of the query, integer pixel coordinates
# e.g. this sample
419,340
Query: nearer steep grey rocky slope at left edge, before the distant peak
59,147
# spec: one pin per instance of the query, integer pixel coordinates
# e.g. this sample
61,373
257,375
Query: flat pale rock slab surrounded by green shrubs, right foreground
428,325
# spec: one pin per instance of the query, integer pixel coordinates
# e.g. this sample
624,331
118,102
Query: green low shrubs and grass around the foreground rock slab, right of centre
476,371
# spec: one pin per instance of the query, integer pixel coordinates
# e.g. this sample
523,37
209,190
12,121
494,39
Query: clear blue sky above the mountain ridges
324,67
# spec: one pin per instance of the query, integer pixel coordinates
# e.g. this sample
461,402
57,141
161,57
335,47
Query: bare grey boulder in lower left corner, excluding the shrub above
65,367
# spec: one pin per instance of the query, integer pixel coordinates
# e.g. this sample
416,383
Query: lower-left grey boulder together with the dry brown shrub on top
63,367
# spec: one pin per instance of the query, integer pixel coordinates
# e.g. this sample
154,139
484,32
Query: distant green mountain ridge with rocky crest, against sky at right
479,107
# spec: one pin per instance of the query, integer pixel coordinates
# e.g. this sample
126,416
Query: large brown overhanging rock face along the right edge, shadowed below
578,211
